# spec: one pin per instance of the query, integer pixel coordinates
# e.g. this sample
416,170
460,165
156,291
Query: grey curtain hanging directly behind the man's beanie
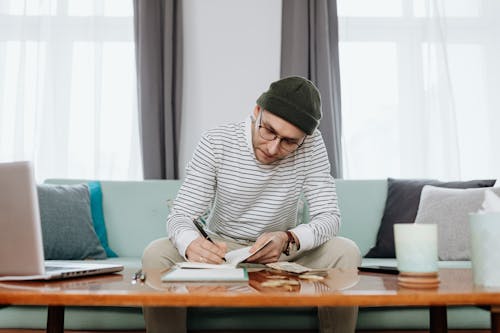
309,48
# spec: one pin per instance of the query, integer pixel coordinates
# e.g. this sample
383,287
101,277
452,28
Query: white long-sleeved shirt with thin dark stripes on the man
248,198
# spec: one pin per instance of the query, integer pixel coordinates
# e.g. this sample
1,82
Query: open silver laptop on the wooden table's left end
21,247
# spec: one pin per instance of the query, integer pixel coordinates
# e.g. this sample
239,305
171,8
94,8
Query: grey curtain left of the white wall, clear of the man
158,40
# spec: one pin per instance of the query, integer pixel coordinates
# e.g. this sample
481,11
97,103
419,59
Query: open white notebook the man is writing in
197,271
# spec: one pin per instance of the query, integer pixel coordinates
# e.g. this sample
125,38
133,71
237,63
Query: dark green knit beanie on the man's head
295,100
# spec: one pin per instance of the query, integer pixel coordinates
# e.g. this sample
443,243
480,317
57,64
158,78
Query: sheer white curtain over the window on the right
419,88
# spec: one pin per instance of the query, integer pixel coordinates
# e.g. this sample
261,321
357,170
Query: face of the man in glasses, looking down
287,137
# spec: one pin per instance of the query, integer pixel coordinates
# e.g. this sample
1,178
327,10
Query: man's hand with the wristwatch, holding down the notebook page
272,251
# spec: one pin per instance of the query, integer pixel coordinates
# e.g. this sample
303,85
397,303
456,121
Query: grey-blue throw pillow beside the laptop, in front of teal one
66,219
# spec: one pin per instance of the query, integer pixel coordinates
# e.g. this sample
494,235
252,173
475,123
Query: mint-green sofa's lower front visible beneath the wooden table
216,319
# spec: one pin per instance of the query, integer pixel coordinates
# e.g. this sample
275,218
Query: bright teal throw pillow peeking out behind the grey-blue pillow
98,216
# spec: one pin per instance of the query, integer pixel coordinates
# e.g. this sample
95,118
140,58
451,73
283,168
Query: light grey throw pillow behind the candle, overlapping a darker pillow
449,209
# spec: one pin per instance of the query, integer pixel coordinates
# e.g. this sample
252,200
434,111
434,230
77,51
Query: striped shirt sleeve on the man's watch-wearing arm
320,193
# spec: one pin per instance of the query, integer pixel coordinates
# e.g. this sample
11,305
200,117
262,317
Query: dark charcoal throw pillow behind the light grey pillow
403,197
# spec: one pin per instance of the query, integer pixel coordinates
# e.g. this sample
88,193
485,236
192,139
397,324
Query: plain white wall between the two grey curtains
231,54
